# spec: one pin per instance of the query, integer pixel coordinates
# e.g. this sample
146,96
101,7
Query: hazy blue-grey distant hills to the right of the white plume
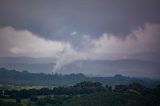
128,67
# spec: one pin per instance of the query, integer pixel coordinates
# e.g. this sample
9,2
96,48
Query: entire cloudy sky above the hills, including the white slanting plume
71,30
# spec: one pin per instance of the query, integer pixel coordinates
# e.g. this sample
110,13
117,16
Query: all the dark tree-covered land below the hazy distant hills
30,89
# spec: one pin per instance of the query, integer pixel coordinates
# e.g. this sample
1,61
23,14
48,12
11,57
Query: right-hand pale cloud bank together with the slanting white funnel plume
143,40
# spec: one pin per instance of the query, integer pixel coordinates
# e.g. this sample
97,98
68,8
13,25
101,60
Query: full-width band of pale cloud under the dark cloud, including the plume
144,39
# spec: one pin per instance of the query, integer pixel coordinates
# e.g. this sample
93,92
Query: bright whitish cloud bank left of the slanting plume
25,43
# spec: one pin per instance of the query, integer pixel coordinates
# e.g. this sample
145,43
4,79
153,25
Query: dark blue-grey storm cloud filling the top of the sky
56,19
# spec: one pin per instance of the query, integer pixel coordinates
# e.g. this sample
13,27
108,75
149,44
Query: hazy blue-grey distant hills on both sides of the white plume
136,68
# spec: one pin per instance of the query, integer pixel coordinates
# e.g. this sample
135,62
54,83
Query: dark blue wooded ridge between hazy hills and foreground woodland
24,77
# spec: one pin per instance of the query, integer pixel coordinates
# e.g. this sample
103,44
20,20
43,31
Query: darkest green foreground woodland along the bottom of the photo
83,94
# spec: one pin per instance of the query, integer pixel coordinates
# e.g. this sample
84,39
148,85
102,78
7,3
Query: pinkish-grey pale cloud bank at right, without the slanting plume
144,39
